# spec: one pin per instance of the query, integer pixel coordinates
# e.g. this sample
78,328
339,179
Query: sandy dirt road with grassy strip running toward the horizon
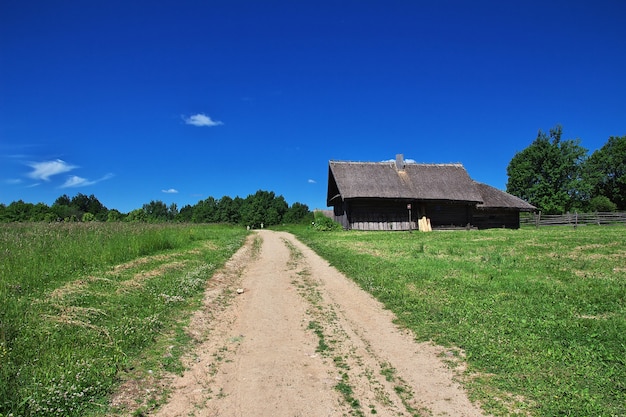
303,340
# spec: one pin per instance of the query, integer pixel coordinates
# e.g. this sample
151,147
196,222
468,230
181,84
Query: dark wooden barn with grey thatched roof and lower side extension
397,195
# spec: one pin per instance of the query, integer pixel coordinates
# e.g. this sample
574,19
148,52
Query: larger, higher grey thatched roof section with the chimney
441,182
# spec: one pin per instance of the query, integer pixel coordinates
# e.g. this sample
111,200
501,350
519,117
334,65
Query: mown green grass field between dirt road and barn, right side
538,314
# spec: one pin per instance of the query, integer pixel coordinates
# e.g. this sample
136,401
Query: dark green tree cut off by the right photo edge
605,171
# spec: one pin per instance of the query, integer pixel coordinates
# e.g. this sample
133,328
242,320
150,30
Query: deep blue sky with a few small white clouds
177,101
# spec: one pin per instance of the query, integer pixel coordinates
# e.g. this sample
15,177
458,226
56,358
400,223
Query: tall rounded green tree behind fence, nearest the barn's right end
548,173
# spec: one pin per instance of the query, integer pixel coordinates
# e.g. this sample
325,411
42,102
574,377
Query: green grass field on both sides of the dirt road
538,314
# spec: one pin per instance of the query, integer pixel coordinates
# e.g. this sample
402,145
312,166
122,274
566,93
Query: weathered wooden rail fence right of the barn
572,219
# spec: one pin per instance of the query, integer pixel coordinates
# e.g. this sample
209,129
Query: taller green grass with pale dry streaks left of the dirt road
79,302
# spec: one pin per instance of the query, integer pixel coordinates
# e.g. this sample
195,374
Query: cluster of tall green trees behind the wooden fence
559,176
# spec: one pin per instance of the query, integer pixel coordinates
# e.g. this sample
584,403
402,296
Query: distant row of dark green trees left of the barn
263,208
